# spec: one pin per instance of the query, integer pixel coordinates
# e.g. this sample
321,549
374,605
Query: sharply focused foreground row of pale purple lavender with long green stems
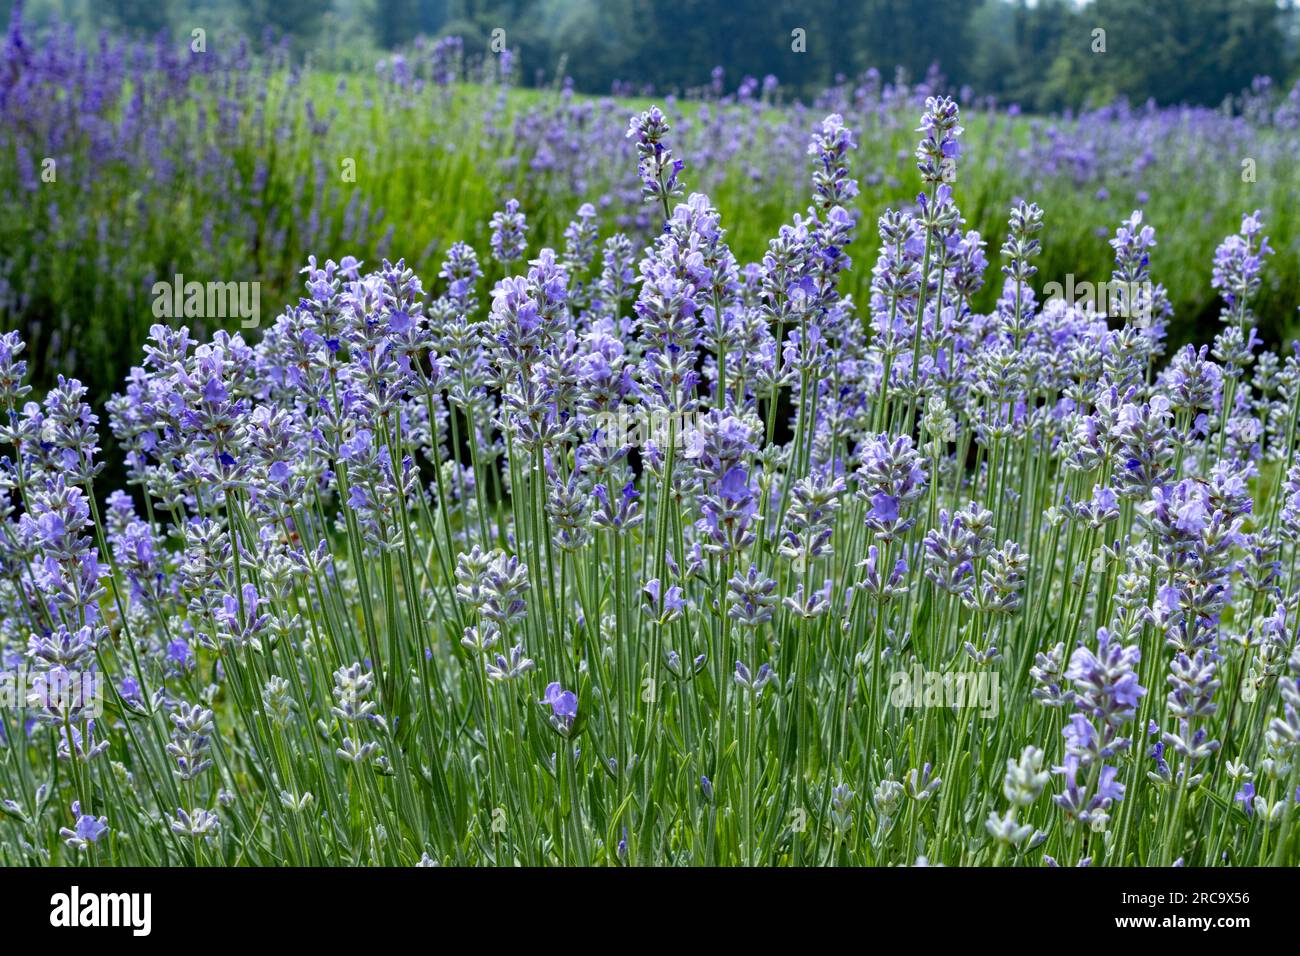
870,582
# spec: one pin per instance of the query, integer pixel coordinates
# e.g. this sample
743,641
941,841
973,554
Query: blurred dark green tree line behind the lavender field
1046,57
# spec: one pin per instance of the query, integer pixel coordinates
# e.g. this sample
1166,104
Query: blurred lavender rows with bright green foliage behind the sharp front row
125,165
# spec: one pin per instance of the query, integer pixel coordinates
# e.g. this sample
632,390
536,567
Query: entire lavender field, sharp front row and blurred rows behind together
718,479
